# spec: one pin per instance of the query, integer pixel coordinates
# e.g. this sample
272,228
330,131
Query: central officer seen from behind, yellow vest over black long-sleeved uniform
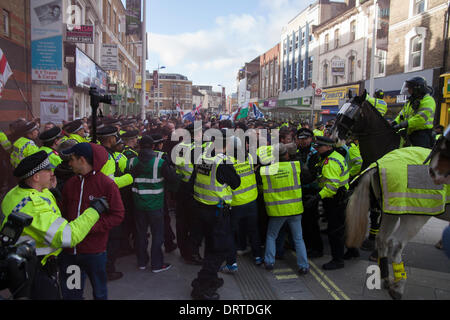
214,181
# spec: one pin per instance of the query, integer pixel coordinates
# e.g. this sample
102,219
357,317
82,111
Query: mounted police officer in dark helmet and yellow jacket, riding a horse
417,115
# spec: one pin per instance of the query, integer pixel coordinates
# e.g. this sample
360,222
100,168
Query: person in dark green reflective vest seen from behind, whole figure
151,174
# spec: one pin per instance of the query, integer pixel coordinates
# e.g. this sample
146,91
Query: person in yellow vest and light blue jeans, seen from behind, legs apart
283,200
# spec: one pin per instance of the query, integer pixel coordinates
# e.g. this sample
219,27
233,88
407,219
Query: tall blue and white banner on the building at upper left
46,41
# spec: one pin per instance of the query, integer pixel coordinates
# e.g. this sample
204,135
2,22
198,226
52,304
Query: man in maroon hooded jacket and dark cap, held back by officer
86,160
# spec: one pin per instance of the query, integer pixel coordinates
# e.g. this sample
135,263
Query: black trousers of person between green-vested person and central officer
188,238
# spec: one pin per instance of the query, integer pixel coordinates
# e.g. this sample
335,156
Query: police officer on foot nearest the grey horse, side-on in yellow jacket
333,181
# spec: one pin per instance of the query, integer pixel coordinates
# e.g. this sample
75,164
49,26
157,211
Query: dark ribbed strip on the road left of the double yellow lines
252,282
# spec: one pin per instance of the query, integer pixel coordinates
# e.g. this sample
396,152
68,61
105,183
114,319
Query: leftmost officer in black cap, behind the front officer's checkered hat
25,146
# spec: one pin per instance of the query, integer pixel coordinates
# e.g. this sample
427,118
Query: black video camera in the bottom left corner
17,261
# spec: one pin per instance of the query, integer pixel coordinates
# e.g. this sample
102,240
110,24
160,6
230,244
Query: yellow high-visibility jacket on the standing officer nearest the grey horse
334,175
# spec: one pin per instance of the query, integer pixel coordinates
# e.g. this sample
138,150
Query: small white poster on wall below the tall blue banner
53,106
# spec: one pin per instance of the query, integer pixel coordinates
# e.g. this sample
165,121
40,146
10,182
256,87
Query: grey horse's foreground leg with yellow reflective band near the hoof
408,228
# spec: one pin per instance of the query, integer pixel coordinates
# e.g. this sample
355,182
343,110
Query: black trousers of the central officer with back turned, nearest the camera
217,230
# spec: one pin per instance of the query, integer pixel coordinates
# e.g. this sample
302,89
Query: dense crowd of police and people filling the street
95,201
